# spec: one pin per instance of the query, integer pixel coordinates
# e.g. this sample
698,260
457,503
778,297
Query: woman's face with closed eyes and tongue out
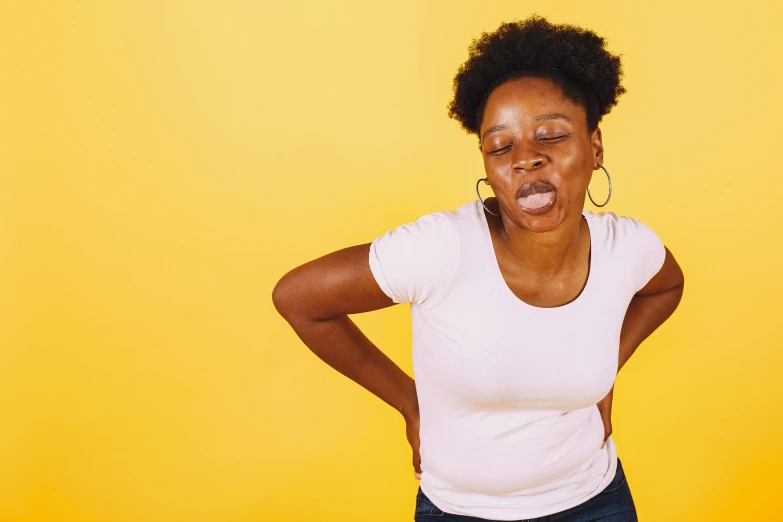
538,154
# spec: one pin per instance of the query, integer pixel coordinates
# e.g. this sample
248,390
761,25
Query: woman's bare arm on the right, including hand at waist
648,310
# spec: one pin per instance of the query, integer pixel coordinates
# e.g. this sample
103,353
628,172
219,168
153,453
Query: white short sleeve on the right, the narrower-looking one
645,250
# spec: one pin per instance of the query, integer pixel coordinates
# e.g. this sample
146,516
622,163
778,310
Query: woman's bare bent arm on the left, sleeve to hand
316,298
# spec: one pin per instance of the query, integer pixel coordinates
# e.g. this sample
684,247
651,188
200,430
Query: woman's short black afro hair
572,57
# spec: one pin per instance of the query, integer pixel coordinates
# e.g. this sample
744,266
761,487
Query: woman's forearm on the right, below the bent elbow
644,315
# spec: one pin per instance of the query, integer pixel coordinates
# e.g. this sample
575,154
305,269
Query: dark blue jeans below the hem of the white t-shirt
613,504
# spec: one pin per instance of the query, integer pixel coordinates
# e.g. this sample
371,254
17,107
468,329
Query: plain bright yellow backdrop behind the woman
163,164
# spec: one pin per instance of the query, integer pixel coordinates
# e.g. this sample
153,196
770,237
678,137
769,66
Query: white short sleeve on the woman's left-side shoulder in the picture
415,262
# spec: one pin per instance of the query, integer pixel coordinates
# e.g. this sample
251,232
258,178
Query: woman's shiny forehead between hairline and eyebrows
527,97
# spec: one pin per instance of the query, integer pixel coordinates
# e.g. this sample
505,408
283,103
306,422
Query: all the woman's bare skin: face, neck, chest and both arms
317,297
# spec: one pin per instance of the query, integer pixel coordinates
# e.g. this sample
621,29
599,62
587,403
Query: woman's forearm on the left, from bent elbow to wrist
341,345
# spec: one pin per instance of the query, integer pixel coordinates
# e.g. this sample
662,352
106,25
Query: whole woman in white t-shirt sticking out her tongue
524,306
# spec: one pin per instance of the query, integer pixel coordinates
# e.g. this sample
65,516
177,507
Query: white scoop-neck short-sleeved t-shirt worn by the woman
508,392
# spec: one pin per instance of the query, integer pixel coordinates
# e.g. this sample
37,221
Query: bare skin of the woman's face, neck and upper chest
544,258
